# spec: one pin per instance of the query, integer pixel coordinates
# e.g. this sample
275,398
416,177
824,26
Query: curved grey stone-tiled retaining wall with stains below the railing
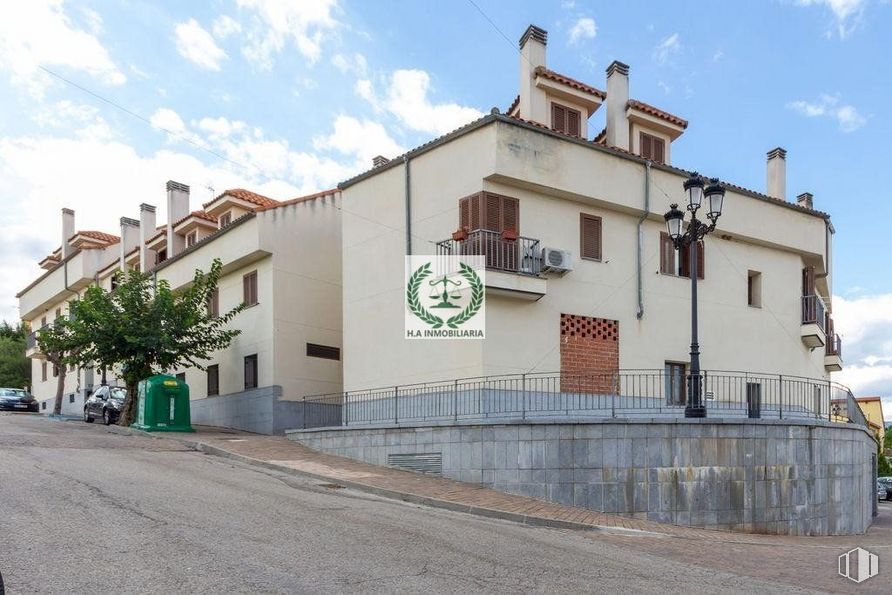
761,477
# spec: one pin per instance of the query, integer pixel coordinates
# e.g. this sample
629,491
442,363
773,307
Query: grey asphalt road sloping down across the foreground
84,510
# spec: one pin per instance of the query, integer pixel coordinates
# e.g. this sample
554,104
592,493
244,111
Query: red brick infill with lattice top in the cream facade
589,354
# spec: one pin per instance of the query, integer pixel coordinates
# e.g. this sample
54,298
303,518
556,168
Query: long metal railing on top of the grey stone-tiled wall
573,397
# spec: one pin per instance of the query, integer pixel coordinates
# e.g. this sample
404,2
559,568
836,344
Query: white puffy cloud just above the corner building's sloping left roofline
406,97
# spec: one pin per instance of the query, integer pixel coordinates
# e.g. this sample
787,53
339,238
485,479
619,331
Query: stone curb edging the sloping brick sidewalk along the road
393,494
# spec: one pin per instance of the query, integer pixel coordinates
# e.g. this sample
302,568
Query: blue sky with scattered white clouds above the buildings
290,97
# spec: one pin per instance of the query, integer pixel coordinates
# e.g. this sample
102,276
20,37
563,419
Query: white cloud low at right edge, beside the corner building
865,324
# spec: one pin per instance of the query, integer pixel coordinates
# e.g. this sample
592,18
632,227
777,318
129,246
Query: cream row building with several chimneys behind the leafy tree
281,258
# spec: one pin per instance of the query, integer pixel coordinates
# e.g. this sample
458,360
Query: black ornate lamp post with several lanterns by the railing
696,230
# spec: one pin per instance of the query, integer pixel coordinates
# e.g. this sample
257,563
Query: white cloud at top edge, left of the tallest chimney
275,22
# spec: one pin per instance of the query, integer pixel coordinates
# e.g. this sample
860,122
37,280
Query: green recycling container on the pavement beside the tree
163,405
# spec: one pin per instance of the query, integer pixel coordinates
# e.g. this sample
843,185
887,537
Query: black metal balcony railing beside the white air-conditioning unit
518,255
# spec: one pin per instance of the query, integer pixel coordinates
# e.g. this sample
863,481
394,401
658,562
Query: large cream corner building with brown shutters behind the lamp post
536,177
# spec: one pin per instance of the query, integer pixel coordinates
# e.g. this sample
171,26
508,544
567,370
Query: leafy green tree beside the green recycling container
142,328
